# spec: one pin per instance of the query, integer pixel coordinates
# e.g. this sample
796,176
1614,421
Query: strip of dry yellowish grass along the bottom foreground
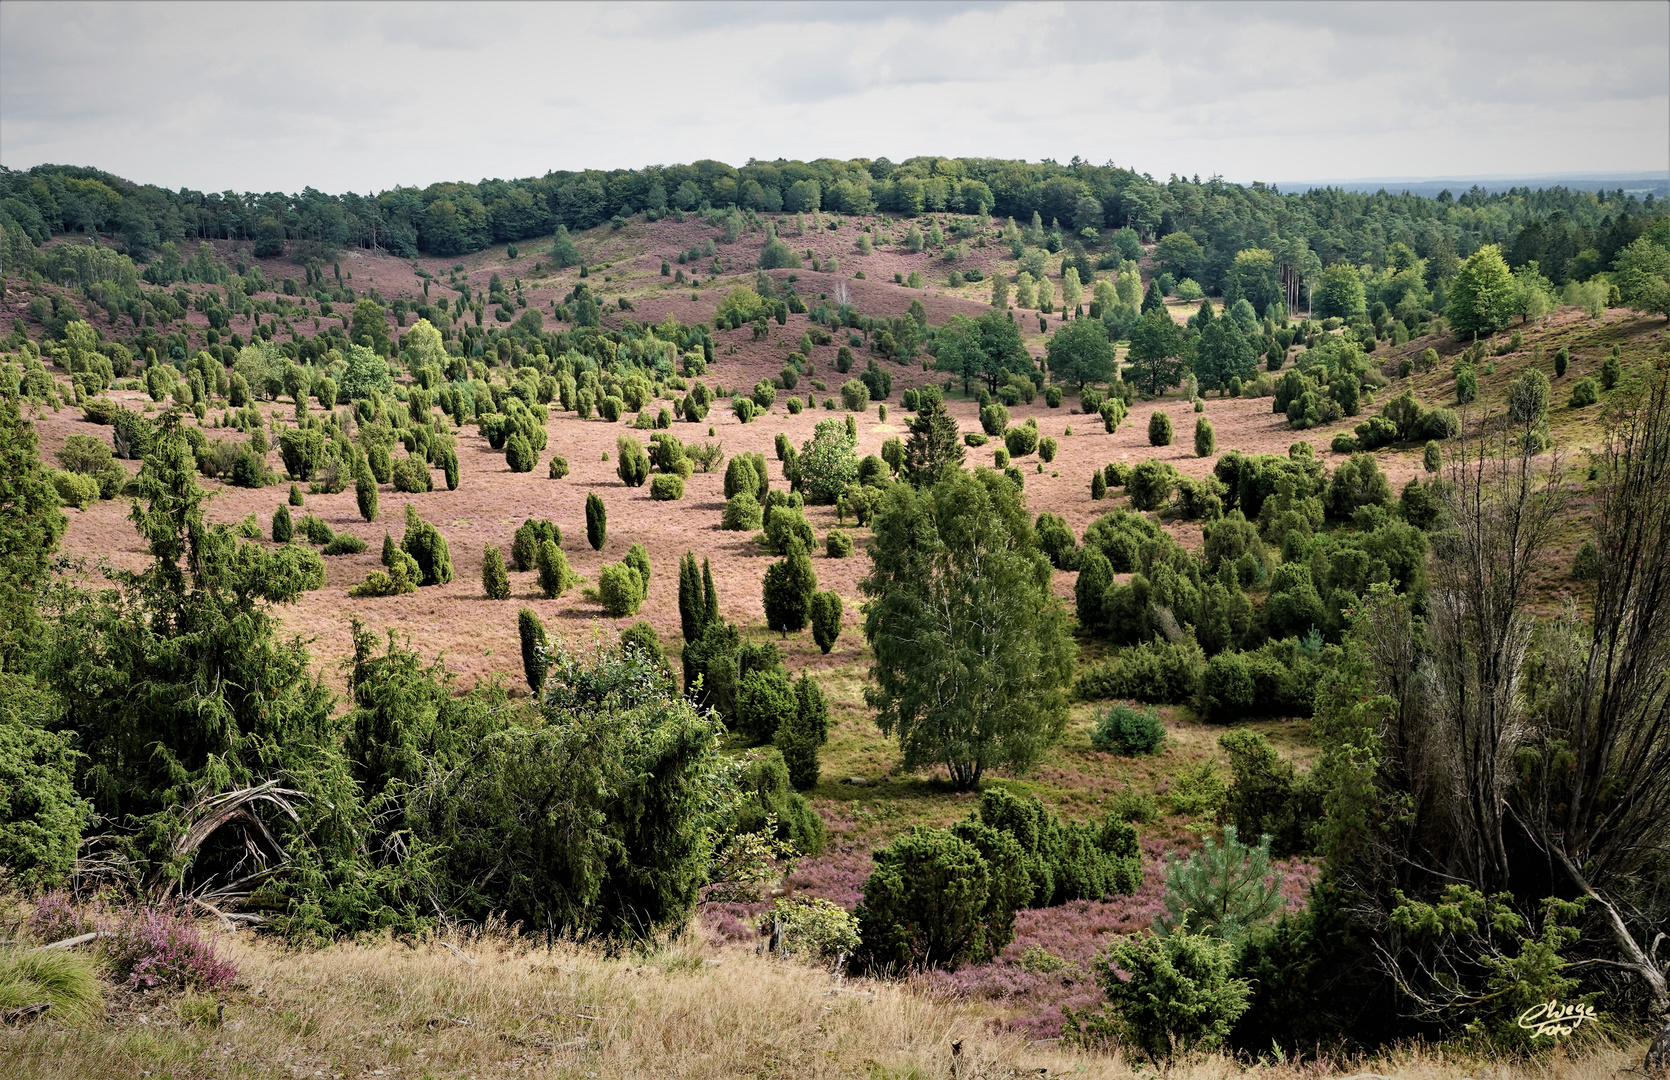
478,1007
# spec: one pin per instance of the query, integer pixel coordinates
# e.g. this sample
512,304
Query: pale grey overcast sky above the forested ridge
370,96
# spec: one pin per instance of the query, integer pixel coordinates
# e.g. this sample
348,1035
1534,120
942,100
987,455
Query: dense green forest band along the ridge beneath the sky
1571,235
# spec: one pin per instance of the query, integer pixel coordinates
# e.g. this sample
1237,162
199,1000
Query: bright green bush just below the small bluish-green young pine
1166,996
